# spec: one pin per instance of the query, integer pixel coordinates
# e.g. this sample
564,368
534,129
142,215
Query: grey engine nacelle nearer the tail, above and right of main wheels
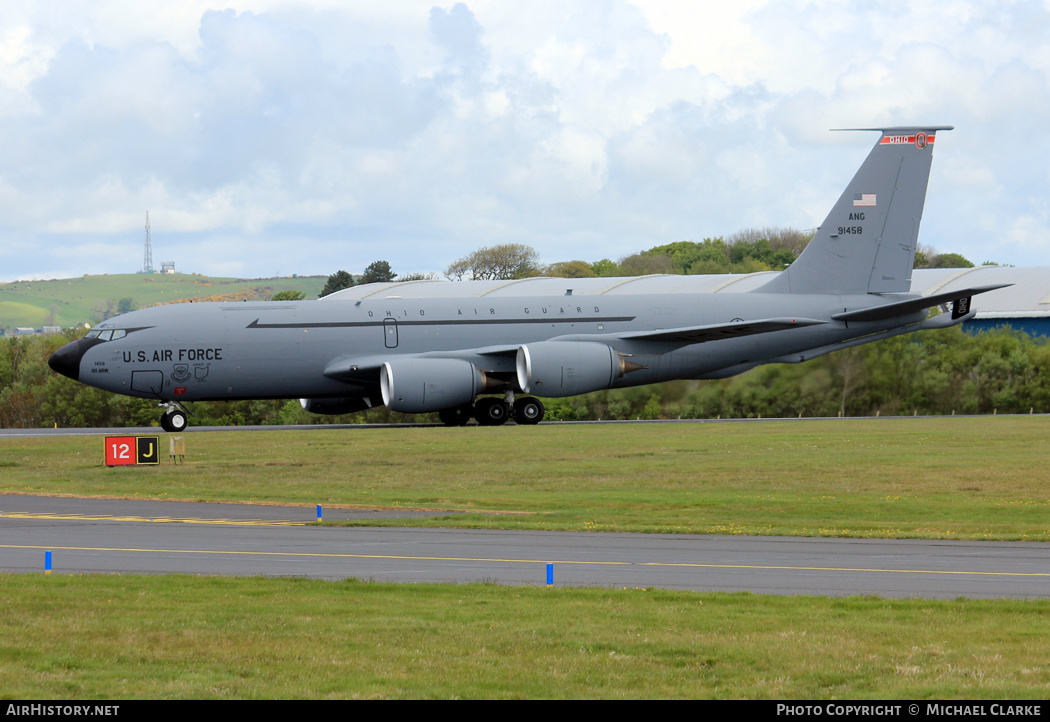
557,369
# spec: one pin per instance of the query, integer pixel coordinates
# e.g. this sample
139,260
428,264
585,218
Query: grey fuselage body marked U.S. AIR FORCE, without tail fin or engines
193,352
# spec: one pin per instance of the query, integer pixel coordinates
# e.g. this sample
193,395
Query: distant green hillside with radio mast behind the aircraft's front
73,302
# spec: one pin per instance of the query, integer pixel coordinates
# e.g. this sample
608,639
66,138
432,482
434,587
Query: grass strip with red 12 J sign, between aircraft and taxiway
948,478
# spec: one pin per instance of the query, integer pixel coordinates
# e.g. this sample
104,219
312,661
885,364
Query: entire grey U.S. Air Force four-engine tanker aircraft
487,351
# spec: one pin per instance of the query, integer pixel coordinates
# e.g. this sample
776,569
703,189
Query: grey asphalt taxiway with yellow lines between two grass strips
148,537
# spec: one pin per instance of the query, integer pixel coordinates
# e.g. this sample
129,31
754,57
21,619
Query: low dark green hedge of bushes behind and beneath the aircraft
932,373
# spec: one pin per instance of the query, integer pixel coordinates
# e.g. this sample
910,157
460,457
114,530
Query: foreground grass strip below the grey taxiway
124,638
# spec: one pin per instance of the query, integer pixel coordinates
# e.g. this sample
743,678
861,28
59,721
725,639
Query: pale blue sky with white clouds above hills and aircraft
277,138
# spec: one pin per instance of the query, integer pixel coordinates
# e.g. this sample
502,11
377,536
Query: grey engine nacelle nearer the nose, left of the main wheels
417,386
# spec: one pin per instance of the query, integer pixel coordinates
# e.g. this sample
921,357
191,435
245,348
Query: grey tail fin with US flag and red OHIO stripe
868,243
